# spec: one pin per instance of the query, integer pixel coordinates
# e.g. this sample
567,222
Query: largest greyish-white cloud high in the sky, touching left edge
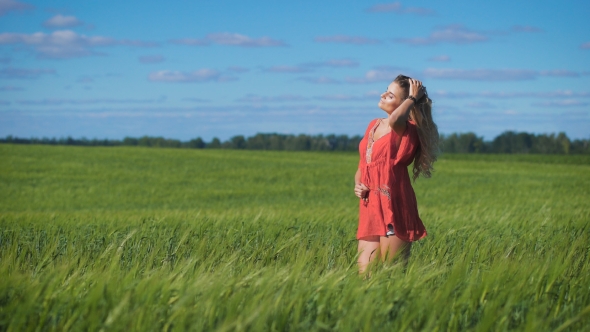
64,44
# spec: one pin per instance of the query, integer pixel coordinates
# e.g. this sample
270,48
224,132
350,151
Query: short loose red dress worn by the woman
384,170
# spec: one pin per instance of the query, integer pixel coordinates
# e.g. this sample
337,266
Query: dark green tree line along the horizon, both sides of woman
507,142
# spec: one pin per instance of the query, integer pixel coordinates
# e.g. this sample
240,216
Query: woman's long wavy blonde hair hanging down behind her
421,114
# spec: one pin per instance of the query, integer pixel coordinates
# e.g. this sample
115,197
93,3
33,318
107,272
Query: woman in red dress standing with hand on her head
388,218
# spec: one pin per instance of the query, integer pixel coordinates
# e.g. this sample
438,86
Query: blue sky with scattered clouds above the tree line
183,69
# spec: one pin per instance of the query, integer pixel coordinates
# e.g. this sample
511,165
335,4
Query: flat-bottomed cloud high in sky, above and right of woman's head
455,34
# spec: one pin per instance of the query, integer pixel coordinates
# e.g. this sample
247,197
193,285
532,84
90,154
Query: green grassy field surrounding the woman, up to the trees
141,239
